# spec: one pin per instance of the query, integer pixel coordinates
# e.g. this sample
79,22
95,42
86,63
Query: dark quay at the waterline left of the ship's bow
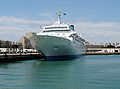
19,57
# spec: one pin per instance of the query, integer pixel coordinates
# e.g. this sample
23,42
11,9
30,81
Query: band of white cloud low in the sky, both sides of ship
12,28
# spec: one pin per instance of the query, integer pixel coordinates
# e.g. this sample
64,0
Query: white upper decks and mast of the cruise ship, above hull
60,29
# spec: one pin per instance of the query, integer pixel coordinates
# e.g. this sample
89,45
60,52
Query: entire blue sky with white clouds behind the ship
97,21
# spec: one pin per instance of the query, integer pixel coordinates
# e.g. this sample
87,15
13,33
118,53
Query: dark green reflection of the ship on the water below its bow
52,73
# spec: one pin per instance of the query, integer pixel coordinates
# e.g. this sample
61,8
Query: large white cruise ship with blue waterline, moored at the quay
59,41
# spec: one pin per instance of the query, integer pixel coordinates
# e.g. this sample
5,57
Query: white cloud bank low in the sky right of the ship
97,32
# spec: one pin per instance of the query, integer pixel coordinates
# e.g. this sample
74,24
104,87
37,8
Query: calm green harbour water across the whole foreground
87,72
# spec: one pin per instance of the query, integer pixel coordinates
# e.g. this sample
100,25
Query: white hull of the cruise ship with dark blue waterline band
58,48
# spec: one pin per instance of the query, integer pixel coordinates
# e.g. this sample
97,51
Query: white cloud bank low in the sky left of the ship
12,28
